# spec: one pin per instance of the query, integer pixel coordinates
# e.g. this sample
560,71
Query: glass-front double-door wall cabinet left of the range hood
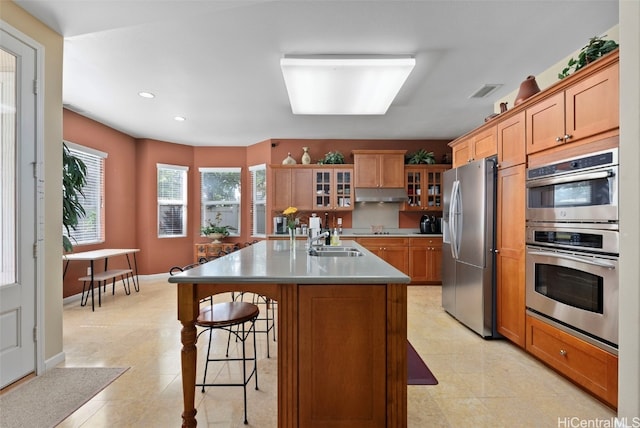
332,188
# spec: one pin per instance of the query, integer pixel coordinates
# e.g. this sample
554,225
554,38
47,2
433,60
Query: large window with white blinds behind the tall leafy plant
90,228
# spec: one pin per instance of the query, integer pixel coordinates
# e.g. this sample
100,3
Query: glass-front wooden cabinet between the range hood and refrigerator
424,187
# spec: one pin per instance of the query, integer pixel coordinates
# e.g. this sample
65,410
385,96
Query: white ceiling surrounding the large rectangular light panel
217,62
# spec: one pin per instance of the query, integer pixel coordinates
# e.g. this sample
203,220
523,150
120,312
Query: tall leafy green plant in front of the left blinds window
74,178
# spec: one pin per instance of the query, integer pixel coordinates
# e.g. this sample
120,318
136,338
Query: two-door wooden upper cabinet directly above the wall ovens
588,107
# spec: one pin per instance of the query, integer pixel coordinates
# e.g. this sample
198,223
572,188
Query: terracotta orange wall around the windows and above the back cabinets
130,187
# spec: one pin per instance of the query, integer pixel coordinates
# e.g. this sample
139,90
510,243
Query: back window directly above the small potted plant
220,194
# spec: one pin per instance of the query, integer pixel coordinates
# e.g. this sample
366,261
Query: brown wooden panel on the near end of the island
342,356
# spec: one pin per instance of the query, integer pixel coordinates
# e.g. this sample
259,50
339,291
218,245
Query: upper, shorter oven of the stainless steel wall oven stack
575,190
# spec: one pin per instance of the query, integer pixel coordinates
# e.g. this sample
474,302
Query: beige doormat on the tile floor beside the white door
47,400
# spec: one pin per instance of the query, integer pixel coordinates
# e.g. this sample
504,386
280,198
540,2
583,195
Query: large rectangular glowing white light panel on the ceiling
344,85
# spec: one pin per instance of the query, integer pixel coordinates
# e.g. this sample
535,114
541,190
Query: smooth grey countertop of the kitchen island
276,262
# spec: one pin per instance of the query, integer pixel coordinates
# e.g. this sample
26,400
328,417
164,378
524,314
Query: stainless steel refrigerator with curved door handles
468,252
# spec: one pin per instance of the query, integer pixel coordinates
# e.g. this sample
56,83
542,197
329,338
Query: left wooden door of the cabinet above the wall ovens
545,123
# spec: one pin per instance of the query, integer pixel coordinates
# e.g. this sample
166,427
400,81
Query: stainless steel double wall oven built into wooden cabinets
573,247
